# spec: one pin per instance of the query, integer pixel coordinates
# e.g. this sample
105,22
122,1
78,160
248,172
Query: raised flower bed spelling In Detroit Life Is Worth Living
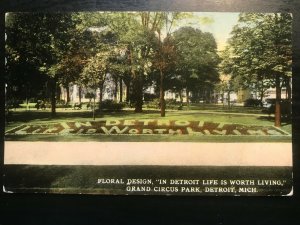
145,127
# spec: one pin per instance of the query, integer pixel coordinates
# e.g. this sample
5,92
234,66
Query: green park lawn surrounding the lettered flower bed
43,117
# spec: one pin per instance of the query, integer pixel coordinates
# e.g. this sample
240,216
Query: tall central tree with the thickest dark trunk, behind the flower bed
136,31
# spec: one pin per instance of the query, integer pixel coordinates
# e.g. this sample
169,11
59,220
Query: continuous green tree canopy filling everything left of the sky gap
140,48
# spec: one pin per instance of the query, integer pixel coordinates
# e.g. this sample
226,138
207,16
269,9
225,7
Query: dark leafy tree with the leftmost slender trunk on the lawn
42,39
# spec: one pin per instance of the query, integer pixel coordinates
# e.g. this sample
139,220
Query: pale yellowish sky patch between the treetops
219,24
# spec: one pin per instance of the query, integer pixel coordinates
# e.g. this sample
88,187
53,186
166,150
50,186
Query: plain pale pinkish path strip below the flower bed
148,153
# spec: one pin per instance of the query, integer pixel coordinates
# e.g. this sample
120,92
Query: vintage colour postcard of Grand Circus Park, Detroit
148,103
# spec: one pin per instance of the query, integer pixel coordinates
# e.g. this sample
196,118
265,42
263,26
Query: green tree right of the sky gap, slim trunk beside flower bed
261,51
